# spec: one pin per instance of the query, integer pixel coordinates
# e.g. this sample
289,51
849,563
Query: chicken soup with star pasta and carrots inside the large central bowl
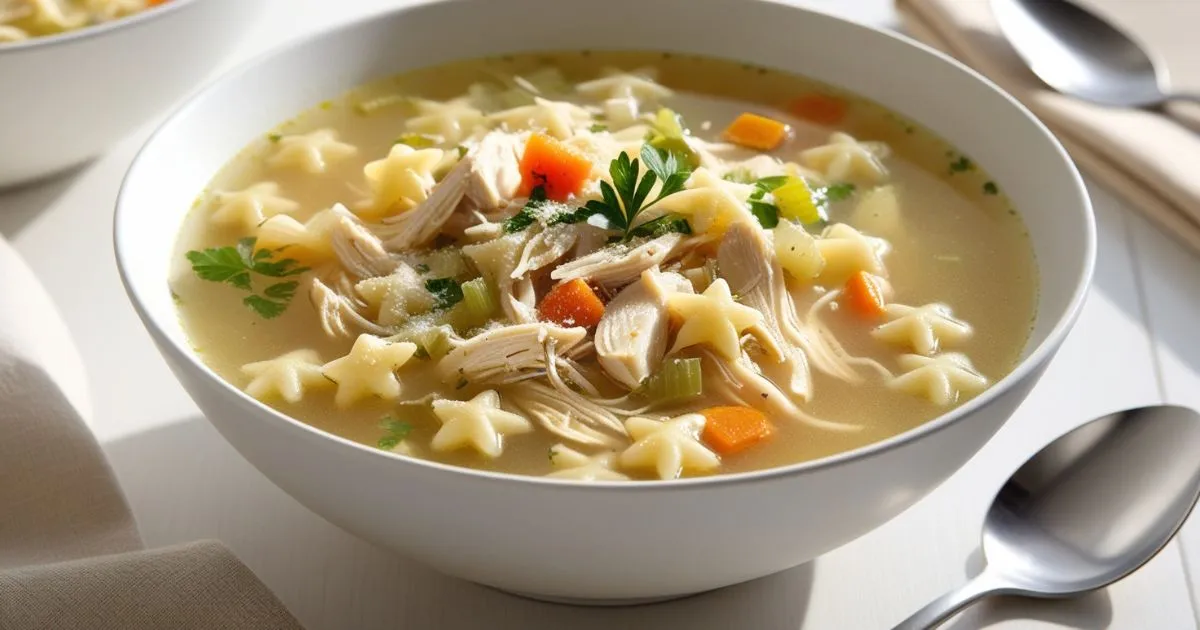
605,267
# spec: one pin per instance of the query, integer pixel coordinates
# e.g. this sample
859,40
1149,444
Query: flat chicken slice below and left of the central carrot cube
501,352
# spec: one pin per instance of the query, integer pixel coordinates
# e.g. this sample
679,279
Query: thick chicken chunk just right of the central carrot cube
632,338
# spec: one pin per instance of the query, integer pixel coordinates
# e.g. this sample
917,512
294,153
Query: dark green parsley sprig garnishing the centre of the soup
627,196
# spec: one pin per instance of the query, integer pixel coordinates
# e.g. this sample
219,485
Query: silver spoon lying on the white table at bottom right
1085,512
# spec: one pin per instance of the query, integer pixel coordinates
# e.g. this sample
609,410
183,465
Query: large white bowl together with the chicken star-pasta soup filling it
578,310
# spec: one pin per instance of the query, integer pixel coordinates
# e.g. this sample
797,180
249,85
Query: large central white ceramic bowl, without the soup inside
605,542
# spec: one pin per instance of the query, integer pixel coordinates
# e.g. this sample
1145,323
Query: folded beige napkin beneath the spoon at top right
1147,158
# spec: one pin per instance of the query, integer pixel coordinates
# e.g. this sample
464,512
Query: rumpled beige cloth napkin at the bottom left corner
70,551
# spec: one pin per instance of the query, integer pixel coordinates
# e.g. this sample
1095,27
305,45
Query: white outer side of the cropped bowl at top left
68,98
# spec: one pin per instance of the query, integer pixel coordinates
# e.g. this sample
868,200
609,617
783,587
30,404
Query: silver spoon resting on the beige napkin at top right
1079,53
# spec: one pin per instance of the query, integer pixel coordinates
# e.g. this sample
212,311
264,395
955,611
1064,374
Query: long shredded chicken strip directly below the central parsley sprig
621,265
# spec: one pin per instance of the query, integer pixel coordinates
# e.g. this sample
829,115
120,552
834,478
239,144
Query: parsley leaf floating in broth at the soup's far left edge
235,265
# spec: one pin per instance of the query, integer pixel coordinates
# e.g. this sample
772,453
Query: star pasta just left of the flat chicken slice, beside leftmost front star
370,369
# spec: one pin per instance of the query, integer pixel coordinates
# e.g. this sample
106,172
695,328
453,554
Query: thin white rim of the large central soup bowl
1027,368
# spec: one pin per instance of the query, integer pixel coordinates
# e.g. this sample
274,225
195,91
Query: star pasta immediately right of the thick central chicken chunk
713,319
